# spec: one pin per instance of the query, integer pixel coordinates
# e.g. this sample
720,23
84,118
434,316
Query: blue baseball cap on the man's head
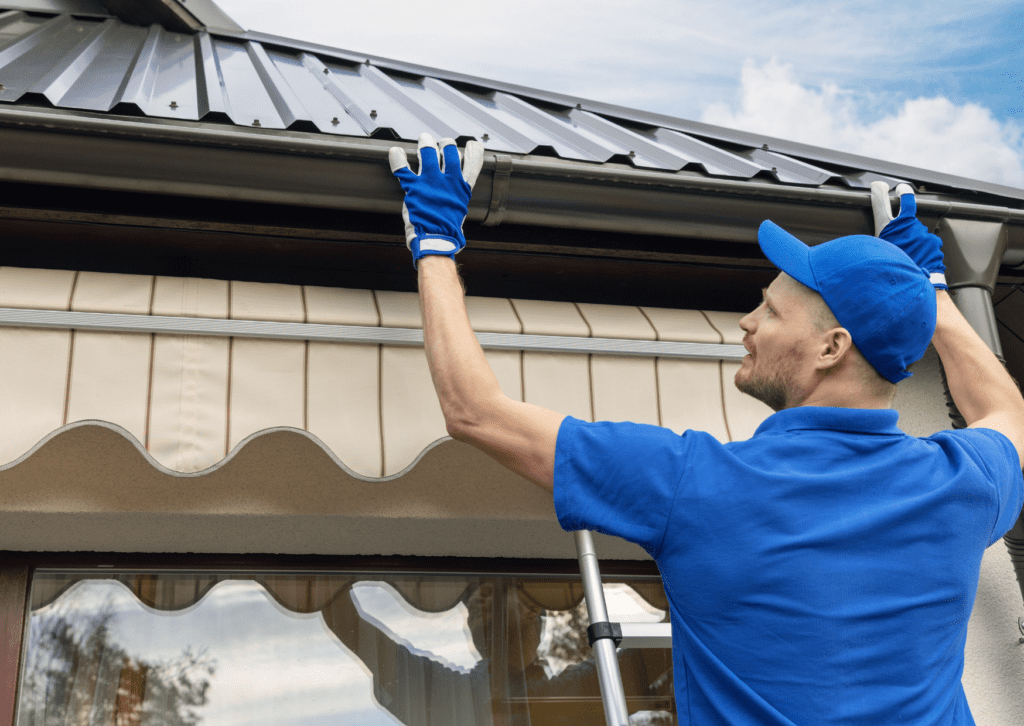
875,290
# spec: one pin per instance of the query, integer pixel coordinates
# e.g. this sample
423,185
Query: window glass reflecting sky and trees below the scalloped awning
241,650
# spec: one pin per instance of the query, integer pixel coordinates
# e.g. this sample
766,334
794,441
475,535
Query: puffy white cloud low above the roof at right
931,134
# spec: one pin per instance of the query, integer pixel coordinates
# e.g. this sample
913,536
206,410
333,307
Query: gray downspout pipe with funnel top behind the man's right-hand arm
973,252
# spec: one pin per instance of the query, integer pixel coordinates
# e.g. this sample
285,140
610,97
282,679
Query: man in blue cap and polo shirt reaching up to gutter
823,572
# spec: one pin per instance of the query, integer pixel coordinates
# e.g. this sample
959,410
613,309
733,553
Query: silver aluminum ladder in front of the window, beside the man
605,637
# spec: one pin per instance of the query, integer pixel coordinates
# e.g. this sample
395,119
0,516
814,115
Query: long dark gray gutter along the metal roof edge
52,147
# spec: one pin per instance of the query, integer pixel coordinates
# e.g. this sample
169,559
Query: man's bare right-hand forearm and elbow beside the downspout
984,392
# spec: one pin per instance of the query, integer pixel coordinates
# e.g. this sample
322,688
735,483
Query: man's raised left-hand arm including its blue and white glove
520,437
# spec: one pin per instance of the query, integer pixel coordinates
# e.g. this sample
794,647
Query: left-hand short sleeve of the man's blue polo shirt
618,479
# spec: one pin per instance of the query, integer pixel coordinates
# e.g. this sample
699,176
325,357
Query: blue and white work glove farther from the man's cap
438,198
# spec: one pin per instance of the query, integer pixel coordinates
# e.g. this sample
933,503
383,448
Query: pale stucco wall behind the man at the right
994,673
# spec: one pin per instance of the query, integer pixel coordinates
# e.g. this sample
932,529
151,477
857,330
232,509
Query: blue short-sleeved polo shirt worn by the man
821,573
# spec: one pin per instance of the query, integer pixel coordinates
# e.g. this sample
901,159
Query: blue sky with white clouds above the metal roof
942,89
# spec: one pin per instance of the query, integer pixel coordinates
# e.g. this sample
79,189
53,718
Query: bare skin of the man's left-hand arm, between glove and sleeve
520,437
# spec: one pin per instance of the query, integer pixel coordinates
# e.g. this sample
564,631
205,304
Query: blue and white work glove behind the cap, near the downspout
907,232
